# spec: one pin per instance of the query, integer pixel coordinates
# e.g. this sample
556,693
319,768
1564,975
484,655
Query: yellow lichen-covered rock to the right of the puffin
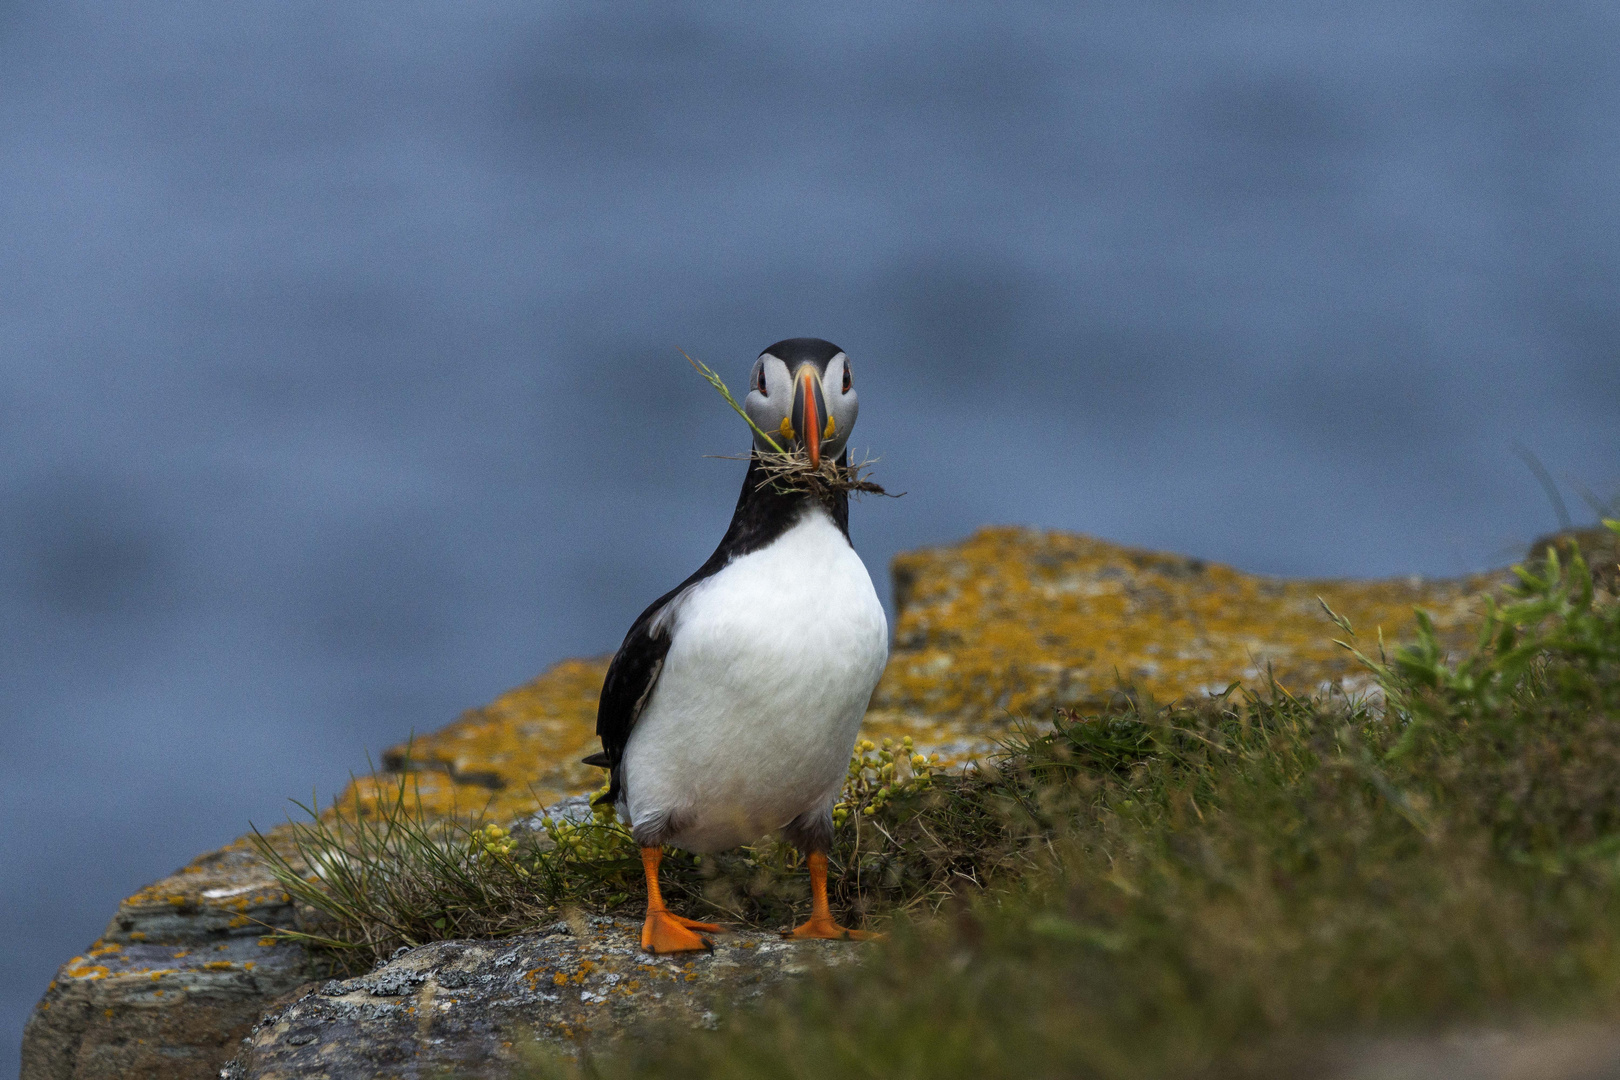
1013,623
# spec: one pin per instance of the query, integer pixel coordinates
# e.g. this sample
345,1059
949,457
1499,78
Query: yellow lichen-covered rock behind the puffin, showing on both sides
992,631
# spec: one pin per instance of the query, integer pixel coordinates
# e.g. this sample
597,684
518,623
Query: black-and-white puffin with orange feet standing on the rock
733,707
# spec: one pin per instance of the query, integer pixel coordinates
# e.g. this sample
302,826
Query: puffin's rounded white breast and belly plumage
770,668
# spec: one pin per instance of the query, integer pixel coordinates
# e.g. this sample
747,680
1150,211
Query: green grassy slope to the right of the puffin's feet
1217,888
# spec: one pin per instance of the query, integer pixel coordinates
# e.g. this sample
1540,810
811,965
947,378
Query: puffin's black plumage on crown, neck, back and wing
762,516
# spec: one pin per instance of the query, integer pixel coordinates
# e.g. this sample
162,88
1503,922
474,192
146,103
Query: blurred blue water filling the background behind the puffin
338,341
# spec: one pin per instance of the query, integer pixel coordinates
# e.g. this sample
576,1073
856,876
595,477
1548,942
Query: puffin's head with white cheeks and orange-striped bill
801,394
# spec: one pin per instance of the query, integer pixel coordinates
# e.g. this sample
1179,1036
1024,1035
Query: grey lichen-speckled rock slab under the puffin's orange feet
463,1006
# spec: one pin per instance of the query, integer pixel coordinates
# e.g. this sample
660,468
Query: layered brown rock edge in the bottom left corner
182,974
